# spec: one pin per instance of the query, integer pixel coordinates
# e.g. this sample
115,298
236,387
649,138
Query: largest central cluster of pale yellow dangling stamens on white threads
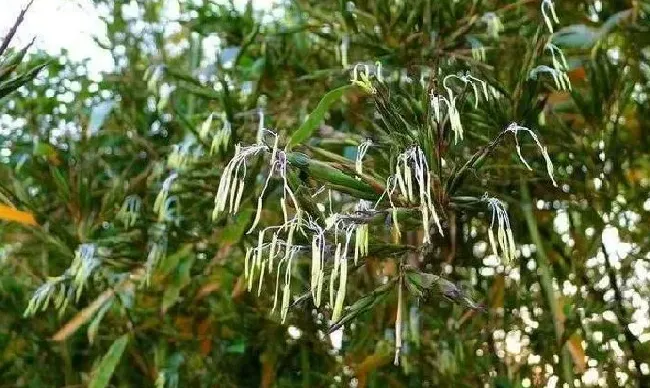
277,256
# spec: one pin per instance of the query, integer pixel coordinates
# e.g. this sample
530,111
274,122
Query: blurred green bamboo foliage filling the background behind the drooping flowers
83,158
